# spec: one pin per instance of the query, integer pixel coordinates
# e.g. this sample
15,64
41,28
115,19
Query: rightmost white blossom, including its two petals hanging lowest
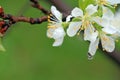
109,26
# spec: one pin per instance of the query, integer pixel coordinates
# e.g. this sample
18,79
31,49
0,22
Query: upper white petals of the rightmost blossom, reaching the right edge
109,21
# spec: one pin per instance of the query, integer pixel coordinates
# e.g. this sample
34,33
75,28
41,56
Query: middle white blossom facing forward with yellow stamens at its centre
84,23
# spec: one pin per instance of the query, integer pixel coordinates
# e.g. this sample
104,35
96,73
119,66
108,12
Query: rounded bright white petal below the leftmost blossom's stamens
58,33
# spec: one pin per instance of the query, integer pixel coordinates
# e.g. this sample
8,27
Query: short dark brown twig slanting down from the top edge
38,6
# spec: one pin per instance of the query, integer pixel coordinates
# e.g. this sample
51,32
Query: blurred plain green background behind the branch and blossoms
30,55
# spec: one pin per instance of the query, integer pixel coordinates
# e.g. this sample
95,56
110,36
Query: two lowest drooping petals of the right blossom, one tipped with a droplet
107,42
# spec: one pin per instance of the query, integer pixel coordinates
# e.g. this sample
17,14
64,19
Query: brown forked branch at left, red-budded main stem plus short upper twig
14,19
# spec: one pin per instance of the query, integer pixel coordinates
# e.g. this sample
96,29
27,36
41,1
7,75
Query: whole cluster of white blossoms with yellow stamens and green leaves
104,28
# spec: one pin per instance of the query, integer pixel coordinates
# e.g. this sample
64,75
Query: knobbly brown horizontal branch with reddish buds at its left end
8,20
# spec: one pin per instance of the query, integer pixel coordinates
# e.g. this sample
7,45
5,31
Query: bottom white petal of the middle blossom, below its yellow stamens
90,34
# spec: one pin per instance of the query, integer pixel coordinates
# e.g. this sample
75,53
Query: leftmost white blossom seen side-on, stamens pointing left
55,28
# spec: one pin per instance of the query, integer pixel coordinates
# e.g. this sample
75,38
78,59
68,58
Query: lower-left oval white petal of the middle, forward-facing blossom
73,28
